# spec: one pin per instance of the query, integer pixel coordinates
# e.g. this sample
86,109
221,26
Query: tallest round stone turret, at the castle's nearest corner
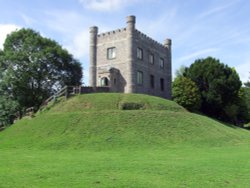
131,74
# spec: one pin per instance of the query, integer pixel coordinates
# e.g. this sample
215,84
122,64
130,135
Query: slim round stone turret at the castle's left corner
92,55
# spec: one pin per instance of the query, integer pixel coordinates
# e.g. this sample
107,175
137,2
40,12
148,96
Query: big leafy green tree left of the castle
33,67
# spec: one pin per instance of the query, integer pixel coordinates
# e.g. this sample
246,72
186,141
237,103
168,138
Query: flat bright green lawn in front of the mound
171,167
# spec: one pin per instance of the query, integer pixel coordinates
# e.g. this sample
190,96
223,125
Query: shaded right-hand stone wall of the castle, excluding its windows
150,46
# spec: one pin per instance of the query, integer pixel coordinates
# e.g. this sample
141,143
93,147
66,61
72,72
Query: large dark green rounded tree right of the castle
218,84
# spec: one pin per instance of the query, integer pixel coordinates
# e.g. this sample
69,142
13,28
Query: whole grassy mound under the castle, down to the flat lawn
105,121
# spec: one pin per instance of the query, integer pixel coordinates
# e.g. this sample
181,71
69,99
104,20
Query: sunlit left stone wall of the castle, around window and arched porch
117,39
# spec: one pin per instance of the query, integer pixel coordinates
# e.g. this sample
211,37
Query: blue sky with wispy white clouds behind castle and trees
198,28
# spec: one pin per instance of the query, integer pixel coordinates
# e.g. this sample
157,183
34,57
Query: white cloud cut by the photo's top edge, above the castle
106,5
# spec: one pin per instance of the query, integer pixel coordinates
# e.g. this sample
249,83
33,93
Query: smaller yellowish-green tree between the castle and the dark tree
186,93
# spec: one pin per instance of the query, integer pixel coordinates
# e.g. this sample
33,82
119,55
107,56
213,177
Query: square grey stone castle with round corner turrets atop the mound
128,61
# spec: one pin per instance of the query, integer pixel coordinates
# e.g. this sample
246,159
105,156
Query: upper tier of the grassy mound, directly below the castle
115,101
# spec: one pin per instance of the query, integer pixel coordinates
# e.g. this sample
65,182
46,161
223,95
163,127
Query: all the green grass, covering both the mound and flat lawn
92,141
